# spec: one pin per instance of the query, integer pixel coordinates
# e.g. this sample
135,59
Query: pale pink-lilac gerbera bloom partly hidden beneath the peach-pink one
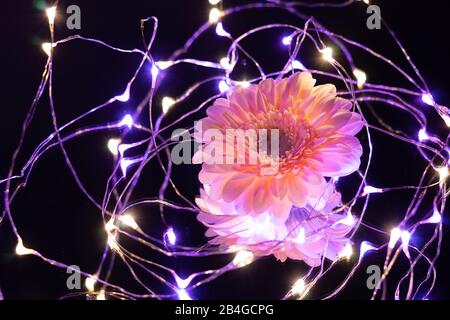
309,234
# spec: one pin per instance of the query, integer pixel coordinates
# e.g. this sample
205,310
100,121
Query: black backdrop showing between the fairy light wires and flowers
56,219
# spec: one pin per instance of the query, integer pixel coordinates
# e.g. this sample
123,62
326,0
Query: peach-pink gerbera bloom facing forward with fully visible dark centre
316,131
